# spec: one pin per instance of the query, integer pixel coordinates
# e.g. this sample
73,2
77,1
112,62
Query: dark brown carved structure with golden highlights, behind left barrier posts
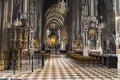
18,39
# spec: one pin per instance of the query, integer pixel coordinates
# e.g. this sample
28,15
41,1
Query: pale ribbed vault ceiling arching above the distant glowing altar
54,16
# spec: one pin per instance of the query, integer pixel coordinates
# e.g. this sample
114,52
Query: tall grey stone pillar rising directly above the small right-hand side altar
75,20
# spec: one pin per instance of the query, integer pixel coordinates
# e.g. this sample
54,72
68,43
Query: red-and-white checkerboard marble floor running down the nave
62,68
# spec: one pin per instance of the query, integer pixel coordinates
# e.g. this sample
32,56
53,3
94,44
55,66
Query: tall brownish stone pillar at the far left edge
4,47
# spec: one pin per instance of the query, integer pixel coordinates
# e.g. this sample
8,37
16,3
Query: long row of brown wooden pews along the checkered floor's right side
108,60
